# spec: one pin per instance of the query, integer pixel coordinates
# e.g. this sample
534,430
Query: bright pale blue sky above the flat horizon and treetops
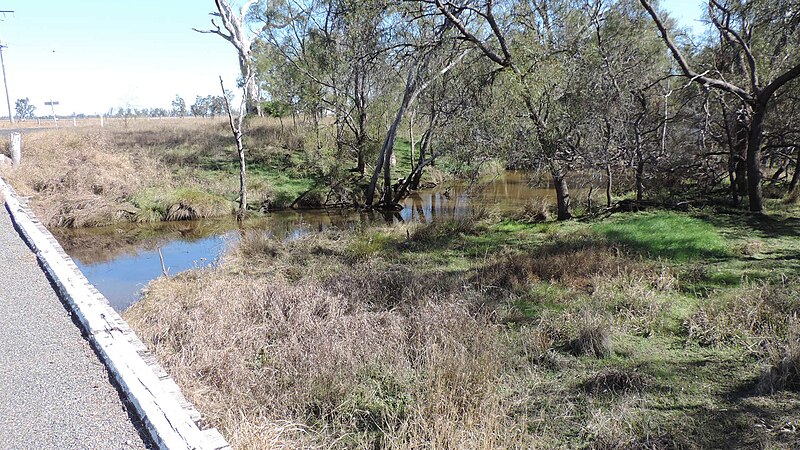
92,55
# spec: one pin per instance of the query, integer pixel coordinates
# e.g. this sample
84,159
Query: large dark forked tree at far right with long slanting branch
764,38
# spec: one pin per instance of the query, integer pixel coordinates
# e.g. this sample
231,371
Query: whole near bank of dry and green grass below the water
654,330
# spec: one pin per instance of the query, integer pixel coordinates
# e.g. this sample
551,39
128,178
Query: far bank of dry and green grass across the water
156,170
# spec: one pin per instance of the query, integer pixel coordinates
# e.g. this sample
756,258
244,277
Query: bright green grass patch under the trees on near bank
666,235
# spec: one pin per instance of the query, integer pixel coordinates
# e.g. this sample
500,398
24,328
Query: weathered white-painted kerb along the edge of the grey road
171,421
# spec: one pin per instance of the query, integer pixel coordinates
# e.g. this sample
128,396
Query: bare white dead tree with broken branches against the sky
237,34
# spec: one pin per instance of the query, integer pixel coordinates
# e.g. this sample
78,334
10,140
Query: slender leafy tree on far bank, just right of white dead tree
342,51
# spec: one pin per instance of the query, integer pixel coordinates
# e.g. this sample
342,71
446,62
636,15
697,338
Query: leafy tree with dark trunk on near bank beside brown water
538,49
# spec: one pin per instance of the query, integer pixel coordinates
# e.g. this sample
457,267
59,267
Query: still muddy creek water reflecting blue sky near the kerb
121,260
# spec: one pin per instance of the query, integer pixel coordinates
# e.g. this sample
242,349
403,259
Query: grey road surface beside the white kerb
54,391
